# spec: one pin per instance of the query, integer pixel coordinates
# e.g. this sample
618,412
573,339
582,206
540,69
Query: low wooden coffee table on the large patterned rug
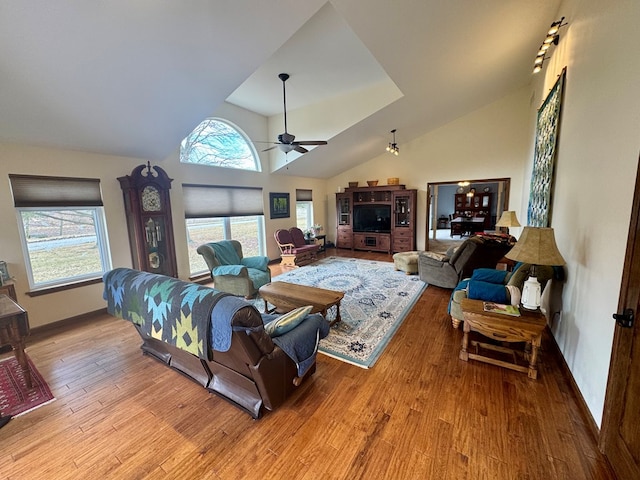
286,296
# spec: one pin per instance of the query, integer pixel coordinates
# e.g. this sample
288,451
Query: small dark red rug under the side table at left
15,398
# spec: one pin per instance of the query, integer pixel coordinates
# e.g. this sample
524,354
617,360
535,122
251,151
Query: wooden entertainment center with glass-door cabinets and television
379,219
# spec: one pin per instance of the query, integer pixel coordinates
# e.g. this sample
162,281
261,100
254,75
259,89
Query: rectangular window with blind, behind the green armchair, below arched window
214,213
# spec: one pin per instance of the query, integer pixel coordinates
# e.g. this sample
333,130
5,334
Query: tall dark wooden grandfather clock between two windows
148,208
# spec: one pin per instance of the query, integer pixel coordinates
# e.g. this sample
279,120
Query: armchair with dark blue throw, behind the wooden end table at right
501,286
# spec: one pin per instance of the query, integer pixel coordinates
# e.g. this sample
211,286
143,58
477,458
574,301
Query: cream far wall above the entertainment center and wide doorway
491,142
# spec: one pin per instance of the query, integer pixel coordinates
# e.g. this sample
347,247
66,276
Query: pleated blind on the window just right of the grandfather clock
205,201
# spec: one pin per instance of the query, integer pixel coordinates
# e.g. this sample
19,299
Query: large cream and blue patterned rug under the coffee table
376,300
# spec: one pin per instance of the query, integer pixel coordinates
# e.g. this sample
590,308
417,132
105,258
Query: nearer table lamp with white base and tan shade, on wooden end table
536,246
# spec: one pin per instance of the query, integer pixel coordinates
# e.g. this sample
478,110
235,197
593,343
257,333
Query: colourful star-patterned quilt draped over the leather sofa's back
165,308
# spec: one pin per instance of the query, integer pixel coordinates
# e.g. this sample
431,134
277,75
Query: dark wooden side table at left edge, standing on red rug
14,327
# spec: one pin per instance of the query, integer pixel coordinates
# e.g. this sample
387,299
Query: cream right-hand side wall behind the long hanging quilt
596,166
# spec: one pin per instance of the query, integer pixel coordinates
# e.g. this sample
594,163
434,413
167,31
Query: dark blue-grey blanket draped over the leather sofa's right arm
301,343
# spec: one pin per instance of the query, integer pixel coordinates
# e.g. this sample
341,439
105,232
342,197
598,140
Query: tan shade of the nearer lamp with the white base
537,246
